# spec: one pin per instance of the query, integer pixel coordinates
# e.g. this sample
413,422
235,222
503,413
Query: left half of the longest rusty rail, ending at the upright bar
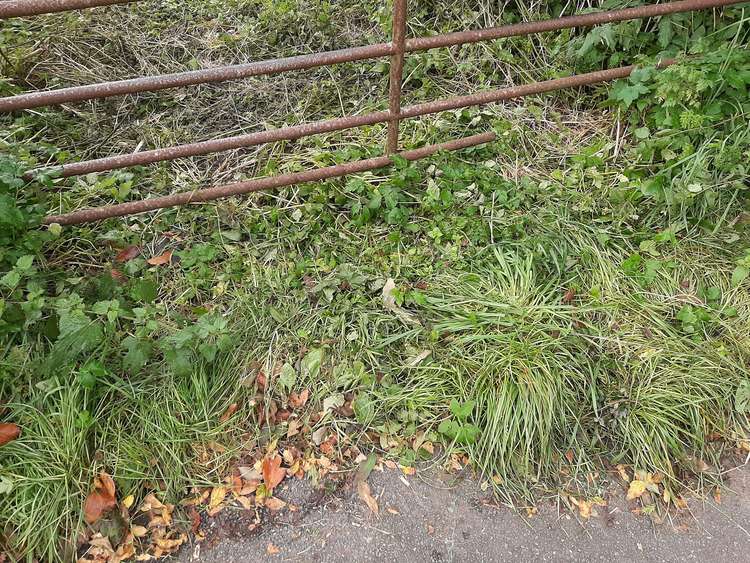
191,78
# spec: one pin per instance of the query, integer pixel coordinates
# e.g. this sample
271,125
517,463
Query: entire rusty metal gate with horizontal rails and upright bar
397,49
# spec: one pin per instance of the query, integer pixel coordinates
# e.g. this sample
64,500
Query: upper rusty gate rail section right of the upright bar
567,22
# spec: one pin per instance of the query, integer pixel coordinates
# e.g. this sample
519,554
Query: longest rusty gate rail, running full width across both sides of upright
301,62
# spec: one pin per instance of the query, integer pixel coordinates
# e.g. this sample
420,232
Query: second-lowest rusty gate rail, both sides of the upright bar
327,126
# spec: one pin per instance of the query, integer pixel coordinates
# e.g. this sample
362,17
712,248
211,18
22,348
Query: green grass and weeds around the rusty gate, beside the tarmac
548,295
